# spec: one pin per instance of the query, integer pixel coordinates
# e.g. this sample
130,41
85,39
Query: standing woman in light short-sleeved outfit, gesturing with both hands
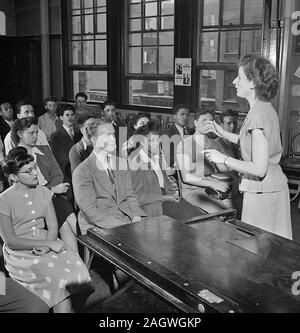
266,202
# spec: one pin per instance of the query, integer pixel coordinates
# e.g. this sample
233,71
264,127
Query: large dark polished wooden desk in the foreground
211,266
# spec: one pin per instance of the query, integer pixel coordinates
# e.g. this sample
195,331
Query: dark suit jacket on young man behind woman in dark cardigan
61,143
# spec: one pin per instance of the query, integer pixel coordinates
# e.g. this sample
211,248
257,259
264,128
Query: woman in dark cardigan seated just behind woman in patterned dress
24,134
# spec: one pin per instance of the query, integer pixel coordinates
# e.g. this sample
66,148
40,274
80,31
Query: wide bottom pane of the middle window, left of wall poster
151,93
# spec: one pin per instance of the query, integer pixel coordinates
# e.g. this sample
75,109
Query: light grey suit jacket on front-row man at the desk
97,199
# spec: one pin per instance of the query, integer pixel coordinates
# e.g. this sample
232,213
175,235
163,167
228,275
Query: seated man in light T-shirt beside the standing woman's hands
196,170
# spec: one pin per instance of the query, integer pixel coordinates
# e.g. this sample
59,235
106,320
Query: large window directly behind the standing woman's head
228,30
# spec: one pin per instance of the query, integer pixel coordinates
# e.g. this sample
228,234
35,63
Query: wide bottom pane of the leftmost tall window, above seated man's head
94,84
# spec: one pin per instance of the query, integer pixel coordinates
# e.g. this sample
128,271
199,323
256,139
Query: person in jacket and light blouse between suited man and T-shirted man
150,182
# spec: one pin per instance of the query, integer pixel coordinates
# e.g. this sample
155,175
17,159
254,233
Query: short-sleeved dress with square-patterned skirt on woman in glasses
52,276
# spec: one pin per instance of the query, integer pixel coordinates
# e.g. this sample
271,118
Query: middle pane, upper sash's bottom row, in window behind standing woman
229,48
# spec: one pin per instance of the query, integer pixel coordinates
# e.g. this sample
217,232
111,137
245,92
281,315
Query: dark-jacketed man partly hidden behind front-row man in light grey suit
81,150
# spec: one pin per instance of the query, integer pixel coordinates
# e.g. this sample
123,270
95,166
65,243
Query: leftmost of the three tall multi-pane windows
88,48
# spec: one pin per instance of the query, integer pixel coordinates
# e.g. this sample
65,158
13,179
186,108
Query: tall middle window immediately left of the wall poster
150,52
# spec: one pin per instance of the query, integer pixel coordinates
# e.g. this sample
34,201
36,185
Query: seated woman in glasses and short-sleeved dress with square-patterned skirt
34,256
